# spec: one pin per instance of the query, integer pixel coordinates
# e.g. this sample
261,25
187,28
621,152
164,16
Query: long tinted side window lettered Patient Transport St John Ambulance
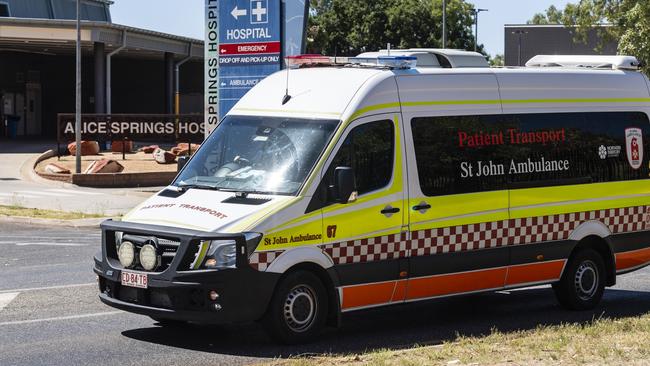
465,154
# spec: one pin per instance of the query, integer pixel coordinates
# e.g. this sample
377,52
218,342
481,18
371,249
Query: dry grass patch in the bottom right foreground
600,342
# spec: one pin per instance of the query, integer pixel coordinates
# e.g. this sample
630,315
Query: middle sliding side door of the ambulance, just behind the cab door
458,194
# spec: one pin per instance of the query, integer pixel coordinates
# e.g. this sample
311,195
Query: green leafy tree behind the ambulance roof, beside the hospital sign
349,27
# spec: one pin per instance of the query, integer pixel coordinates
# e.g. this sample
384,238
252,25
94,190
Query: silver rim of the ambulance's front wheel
300,308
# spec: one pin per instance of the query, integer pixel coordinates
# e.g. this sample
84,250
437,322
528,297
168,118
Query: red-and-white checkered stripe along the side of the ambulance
473,236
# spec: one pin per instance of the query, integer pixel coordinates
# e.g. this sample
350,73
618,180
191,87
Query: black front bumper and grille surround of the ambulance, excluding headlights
244,293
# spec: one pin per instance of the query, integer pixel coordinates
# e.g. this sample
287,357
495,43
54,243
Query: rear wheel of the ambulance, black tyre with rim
583,282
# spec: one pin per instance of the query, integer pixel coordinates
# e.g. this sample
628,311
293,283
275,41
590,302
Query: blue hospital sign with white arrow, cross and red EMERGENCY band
249,49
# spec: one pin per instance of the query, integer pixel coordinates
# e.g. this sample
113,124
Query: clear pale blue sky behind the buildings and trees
185,17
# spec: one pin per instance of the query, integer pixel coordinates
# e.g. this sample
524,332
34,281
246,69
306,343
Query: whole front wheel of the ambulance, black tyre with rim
298,310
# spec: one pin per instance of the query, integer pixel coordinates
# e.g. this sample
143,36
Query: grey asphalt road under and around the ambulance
50,314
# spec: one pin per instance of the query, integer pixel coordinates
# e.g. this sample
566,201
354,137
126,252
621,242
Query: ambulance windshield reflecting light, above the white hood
269,155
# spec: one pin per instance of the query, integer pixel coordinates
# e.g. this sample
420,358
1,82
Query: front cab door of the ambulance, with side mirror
365,236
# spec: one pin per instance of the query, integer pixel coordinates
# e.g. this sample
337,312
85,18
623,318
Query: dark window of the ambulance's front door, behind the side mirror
369,149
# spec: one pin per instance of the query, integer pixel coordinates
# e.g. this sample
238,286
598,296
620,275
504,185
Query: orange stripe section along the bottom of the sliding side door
455,283
